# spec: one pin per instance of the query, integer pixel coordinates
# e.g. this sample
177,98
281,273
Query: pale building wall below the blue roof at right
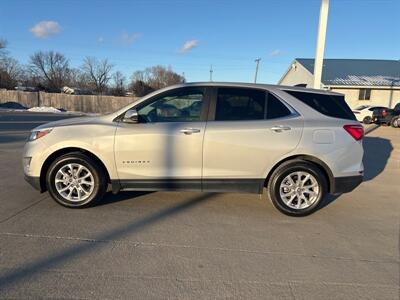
384,97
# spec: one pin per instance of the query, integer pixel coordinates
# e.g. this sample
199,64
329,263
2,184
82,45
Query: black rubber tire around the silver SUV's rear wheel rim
288,168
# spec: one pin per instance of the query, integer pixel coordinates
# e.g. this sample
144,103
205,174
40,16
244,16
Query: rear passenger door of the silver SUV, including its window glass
247,132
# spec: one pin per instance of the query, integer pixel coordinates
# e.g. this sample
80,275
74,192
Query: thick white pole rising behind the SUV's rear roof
319,53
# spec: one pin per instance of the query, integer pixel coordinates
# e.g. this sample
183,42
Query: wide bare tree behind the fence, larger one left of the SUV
51,69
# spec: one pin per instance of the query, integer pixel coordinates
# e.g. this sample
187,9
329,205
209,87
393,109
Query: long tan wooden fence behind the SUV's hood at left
83,103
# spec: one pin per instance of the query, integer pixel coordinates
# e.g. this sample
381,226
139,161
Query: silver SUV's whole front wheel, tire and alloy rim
76,180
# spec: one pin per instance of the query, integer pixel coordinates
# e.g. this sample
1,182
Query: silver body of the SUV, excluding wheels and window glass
206,154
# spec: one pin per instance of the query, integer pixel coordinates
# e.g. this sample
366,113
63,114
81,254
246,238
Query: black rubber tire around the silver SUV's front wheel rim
99,179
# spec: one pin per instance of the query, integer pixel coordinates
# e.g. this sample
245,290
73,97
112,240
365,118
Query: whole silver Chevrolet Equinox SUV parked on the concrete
217,137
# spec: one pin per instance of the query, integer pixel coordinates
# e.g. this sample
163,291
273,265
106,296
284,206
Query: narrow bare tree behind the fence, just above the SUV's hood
98,73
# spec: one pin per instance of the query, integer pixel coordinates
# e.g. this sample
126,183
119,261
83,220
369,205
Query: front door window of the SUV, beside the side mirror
182,106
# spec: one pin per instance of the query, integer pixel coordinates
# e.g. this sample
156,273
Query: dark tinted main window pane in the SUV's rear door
235,104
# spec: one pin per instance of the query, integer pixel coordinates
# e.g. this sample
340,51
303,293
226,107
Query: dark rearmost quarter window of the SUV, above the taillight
329,105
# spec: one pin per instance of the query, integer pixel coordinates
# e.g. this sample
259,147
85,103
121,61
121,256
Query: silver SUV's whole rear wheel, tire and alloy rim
297,188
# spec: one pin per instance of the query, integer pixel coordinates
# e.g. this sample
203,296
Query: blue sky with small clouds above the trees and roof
227,34
